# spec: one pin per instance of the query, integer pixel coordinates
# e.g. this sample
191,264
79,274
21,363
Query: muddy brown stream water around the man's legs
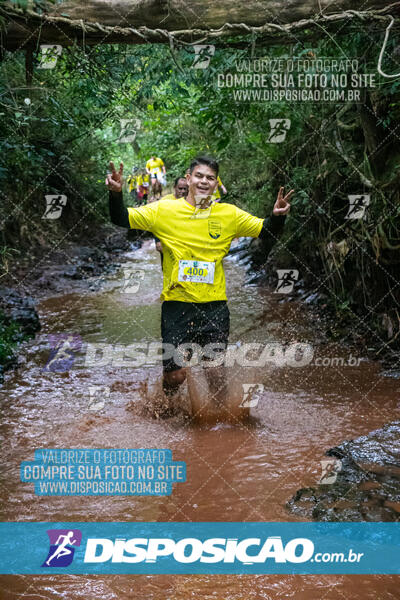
235,472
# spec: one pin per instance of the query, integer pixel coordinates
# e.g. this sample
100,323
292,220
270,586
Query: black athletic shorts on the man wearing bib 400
193,323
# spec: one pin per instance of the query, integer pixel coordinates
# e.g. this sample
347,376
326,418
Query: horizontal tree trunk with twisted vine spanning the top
142,21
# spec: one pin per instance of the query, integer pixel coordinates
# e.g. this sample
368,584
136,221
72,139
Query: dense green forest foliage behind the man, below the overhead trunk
61,140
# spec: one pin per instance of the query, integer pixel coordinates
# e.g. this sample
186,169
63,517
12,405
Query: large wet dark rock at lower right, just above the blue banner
367,486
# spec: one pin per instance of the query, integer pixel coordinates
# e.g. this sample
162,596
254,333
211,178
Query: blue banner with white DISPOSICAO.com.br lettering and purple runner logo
195,548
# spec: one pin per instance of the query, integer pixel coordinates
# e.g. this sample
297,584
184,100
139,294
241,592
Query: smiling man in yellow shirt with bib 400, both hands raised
196,234
